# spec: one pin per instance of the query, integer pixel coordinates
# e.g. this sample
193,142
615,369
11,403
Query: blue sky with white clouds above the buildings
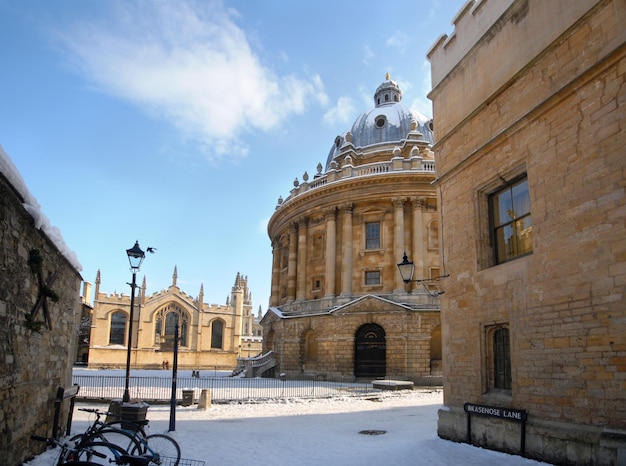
180,123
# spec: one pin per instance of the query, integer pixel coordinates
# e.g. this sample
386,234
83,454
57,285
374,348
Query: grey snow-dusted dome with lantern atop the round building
390,121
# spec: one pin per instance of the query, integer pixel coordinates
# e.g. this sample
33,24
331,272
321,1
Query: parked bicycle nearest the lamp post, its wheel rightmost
163,449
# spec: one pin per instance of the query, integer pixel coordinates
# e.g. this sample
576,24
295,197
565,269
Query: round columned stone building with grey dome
338,305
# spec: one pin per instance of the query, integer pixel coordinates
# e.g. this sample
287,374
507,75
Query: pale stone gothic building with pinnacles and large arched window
211,336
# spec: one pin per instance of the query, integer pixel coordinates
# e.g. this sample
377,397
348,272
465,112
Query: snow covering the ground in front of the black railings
314,432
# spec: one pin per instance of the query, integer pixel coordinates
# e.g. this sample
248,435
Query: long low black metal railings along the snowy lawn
222,389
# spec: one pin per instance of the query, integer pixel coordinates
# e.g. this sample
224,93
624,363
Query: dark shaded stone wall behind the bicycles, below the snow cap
33,364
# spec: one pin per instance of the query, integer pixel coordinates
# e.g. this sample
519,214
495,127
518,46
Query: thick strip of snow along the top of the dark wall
10,172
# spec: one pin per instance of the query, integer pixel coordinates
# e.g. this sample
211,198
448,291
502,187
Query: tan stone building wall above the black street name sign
560,118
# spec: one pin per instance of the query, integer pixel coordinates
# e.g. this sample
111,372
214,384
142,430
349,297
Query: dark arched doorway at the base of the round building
370,351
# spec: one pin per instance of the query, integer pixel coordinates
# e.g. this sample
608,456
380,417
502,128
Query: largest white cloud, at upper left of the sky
188,63
